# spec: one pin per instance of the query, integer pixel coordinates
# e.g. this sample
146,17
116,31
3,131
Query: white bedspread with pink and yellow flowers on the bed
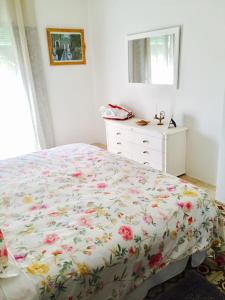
85,224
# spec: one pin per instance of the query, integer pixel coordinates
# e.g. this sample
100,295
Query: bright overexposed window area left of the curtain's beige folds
17,134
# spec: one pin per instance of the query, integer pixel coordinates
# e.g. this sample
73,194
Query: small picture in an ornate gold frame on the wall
66,46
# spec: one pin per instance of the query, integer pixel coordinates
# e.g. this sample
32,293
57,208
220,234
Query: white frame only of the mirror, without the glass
166,31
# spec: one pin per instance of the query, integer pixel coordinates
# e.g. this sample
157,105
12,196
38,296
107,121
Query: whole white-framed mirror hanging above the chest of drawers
153,57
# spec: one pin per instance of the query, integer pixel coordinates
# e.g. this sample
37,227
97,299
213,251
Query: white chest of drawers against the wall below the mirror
157,146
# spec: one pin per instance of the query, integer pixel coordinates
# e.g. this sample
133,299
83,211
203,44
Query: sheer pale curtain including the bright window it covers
22,126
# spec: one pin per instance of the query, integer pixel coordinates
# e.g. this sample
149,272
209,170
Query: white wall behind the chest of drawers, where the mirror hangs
202,68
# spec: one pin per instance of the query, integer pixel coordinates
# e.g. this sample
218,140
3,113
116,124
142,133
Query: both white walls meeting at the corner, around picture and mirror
76,92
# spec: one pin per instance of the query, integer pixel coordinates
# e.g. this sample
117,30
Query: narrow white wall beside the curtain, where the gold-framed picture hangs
69,87
